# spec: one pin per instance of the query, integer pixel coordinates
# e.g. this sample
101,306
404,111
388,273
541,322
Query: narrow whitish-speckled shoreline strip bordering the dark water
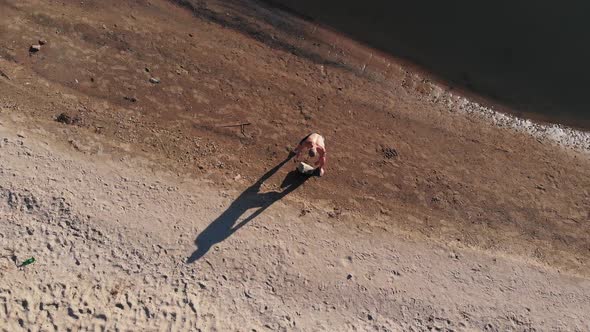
558,129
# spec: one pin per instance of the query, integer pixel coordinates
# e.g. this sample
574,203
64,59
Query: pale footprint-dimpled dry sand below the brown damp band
111,237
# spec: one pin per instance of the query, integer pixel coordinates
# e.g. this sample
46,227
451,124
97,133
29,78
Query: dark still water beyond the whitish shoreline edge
532,56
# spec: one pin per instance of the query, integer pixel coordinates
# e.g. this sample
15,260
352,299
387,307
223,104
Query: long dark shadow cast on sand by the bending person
223,227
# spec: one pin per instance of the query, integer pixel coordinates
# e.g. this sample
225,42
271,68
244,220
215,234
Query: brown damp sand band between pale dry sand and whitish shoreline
452,180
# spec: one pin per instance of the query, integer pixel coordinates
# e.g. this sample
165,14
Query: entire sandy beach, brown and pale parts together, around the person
144,212
